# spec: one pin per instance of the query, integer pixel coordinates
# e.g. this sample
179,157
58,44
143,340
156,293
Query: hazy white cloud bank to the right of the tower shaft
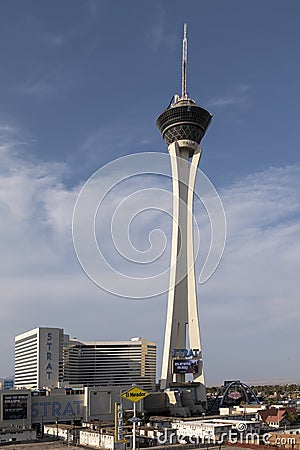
253,298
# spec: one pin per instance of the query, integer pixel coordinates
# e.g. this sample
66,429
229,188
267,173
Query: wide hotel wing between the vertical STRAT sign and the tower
111,363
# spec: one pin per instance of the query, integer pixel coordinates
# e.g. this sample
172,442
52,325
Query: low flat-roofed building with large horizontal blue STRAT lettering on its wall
25,407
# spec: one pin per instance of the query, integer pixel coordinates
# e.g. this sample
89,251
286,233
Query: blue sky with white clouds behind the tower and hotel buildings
81,85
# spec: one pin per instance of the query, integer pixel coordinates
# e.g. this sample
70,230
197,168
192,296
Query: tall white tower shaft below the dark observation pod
182,326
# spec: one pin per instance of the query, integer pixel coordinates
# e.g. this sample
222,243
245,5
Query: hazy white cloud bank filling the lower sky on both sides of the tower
249,311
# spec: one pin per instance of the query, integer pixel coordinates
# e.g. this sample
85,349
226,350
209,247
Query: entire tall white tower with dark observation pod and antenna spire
182,126
